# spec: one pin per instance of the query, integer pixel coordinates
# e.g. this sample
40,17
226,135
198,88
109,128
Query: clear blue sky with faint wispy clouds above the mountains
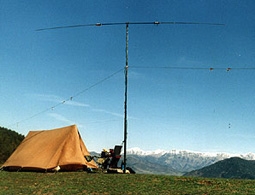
56,78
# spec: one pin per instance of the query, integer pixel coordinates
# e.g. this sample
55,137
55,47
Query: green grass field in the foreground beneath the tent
98,183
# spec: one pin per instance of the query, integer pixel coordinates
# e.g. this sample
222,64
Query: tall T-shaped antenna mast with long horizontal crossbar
126,66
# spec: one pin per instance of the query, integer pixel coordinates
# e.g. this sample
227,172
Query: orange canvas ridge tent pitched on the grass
48,149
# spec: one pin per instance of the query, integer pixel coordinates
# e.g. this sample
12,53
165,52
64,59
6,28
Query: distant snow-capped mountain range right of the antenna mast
175,162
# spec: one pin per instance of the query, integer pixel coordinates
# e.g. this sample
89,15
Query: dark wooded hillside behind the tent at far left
9,140
